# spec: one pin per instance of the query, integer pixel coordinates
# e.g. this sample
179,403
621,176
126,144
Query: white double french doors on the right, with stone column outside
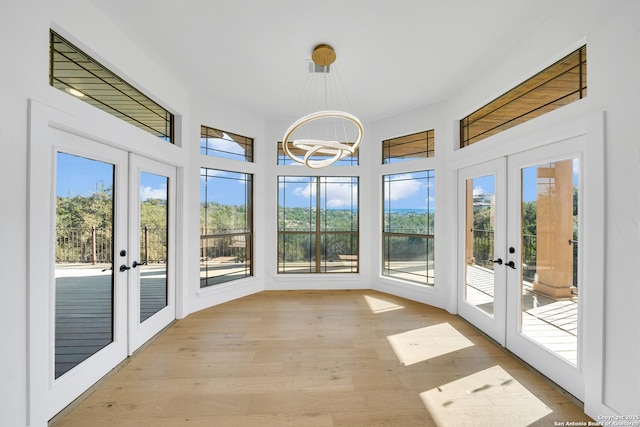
520,256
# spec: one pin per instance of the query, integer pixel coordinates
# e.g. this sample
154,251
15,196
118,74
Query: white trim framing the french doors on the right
555,127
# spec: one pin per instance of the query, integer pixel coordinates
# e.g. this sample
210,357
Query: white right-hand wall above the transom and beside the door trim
611,31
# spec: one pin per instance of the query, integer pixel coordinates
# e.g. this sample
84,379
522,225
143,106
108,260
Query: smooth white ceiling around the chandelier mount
393,55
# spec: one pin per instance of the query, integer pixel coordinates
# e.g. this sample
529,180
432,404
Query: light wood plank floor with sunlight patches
322,358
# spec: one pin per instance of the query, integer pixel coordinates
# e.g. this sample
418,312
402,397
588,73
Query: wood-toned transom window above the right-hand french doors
560,84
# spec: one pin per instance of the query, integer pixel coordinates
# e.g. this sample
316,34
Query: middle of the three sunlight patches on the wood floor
425,343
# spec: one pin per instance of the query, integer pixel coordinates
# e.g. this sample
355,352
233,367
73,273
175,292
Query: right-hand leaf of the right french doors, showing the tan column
543,321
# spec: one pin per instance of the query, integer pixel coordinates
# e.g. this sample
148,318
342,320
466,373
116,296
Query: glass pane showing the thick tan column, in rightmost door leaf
550,256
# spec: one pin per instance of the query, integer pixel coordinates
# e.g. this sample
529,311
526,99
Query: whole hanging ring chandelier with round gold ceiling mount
333,140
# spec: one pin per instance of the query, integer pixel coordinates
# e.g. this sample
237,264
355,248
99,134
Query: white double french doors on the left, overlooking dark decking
111,285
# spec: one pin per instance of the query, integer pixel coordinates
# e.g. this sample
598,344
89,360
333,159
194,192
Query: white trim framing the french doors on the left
87,123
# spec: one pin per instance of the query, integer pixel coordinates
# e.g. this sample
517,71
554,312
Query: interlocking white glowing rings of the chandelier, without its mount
313,146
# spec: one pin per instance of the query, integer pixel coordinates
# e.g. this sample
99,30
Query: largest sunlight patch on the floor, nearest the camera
489,397
